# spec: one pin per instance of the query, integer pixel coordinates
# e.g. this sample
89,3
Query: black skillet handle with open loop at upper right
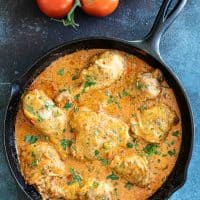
162,22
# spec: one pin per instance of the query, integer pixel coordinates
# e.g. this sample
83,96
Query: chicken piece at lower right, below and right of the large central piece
132,167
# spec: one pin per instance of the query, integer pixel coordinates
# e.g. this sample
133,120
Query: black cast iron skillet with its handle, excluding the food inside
148,50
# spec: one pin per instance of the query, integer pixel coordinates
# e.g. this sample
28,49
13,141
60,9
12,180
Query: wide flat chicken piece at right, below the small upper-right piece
154,123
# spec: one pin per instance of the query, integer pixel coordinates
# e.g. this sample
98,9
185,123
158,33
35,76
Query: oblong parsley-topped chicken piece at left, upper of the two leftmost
43,113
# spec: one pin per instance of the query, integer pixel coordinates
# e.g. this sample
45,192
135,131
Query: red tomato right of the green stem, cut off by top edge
99,8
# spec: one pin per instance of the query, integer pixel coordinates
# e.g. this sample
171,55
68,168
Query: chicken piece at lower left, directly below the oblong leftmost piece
39,160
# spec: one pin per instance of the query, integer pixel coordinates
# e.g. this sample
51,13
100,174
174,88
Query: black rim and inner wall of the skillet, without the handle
178,175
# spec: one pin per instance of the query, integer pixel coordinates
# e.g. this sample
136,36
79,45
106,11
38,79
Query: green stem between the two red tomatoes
70,21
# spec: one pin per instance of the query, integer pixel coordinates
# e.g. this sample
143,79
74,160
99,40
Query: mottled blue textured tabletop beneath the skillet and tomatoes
26,34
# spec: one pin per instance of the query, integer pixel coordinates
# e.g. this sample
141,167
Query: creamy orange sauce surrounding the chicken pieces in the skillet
123,107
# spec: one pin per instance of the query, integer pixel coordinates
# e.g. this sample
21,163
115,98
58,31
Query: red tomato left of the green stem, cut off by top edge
55,8
